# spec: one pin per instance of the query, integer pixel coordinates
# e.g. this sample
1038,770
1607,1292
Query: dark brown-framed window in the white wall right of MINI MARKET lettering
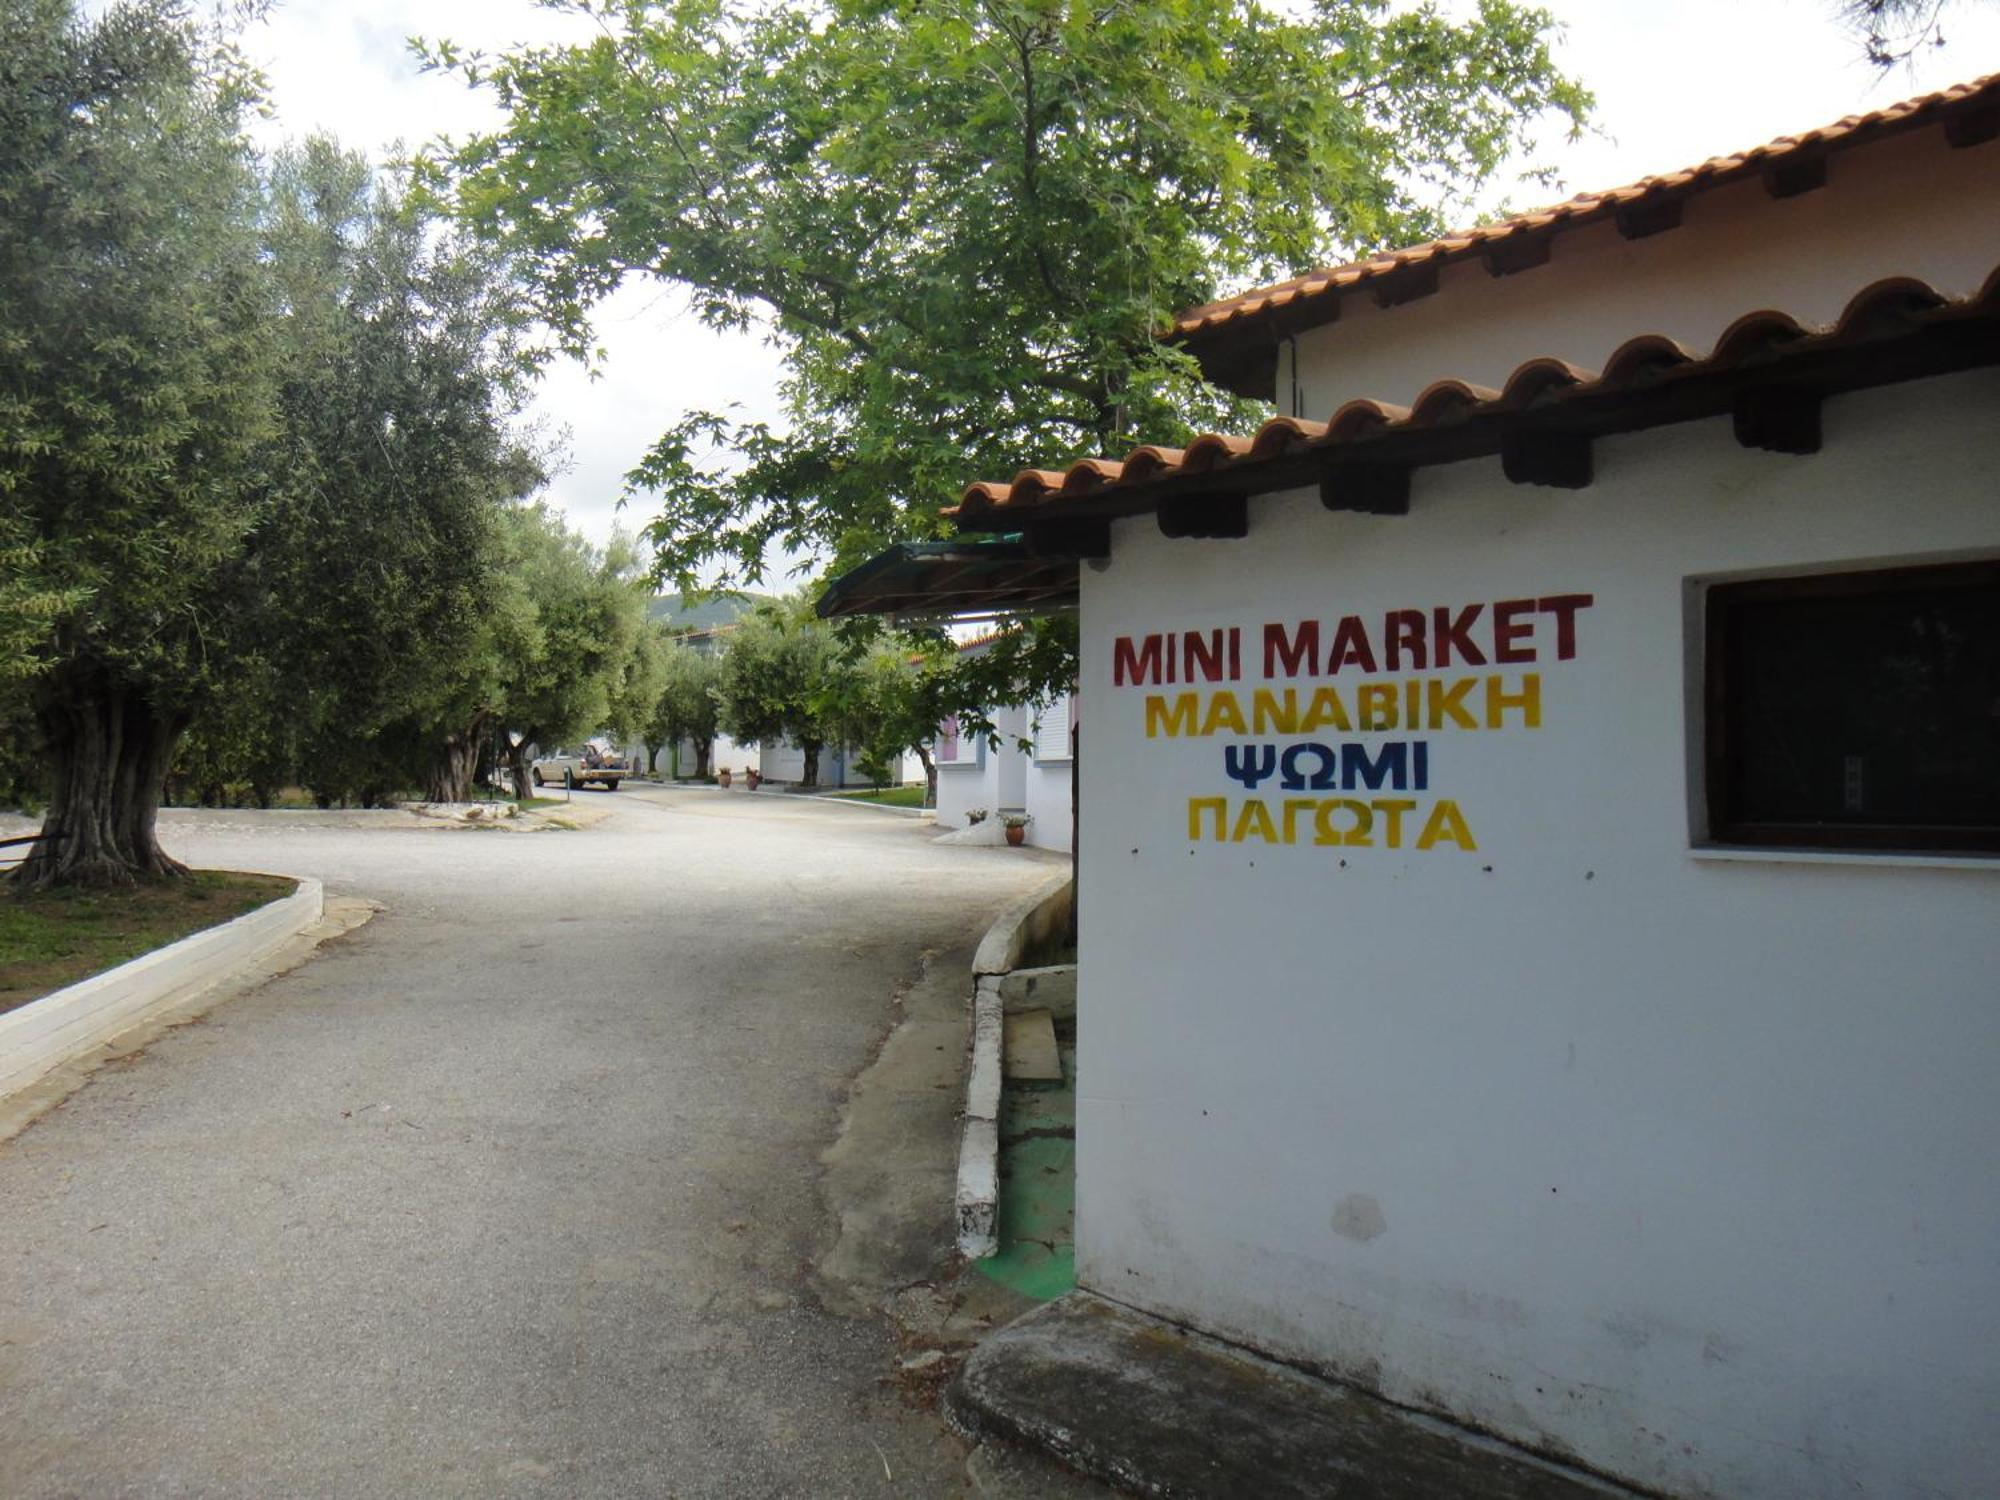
1857,711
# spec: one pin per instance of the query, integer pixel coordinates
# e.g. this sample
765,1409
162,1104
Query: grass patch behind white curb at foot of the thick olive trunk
59,937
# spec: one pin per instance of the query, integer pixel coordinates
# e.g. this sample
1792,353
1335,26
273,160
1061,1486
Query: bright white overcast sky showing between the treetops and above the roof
1677,81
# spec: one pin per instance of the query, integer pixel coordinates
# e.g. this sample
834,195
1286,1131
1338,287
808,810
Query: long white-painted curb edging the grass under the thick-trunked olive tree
43,1035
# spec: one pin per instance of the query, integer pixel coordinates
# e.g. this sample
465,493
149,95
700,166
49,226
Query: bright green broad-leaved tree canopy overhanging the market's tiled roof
965,221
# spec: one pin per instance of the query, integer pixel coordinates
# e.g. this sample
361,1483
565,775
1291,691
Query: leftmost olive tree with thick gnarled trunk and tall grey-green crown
135,401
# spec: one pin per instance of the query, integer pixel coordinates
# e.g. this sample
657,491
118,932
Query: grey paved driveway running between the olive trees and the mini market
509,1193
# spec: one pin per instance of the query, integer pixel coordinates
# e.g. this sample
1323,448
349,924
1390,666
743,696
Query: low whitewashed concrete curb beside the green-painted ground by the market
977,1197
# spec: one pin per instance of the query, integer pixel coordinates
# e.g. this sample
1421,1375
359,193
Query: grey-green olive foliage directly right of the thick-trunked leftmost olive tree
385,581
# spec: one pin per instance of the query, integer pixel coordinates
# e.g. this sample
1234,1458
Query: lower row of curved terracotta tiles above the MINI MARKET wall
1643,363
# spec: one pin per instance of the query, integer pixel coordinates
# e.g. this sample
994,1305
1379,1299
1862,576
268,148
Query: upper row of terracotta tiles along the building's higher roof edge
1587,207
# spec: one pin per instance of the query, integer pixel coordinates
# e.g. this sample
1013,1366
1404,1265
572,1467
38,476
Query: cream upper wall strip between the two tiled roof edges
1909,207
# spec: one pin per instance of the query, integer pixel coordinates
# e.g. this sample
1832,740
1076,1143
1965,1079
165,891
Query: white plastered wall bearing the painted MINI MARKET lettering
1679,1165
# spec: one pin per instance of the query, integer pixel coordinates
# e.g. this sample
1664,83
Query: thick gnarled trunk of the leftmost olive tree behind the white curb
109,751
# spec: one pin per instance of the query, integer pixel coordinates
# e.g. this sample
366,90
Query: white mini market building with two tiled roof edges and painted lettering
1541,911
